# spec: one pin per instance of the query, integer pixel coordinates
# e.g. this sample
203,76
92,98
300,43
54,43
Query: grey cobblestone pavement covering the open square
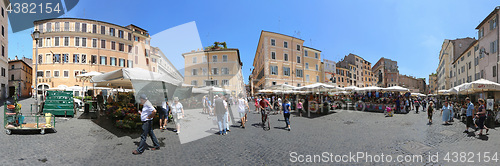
83,142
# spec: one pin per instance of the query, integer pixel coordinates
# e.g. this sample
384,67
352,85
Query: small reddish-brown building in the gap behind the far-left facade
20,74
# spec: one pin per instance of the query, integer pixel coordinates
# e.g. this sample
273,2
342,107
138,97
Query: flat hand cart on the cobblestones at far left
16,121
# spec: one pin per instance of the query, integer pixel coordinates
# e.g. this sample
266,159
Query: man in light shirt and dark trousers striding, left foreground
147,114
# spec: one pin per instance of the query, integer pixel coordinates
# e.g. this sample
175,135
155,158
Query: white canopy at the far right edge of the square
479,86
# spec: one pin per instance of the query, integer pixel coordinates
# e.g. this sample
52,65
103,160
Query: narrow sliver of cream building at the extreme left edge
4,42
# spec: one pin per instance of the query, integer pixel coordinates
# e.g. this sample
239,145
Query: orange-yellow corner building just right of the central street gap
282,59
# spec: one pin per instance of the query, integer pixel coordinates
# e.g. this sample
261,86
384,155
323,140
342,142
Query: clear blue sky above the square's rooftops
410,32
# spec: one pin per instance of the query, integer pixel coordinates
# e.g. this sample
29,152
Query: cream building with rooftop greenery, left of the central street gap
220,68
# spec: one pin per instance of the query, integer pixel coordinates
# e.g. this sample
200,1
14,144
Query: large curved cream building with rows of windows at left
72,46
